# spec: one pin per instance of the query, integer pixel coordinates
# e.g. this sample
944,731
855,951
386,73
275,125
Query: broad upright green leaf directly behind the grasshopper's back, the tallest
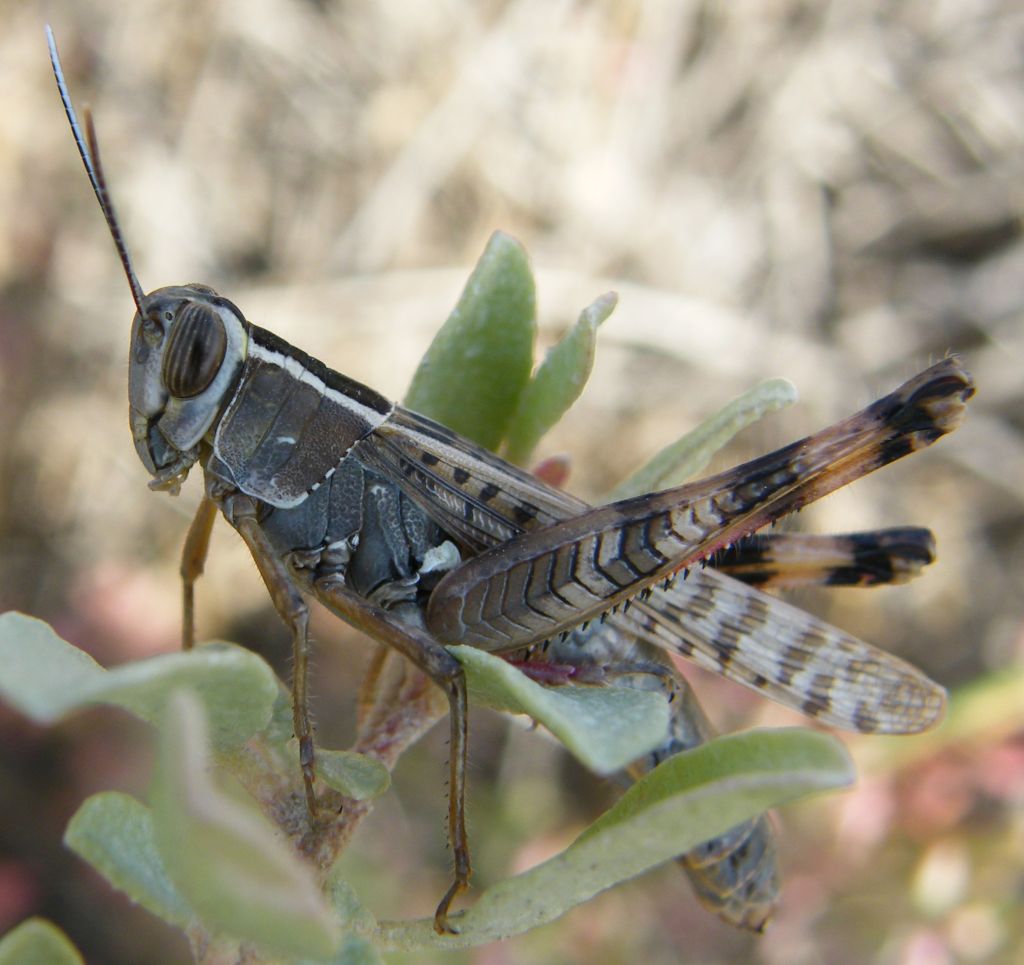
475,371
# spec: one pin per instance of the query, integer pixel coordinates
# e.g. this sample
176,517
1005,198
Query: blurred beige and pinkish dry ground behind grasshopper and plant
825,191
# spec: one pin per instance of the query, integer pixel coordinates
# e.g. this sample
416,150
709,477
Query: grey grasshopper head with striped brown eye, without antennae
188,346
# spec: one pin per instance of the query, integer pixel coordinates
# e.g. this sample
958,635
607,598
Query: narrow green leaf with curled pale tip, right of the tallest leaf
559,382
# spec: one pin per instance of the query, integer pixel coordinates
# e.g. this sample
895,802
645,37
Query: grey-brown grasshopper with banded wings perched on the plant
422,539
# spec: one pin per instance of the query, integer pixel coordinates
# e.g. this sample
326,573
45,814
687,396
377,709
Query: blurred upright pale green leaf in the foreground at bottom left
223,855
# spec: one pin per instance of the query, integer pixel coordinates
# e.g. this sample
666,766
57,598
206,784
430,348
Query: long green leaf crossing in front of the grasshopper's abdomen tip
687,801
